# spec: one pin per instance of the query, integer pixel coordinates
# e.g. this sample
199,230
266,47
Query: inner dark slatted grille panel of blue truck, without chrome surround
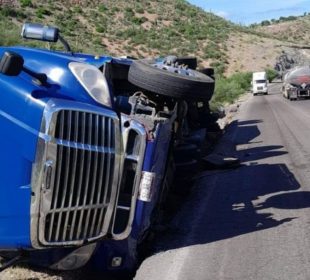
83,176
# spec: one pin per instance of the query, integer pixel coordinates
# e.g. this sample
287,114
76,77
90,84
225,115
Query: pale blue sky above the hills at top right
253,11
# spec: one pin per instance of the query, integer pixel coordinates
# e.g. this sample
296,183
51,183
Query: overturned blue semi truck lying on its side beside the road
87,151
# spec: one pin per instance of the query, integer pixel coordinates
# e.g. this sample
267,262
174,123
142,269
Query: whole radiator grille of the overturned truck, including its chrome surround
79,178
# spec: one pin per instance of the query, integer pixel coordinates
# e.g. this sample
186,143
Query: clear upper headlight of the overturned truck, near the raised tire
92,81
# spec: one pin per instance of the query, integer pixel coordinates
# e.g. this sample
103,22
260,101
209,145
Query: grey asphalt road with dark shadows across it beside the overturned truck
252,222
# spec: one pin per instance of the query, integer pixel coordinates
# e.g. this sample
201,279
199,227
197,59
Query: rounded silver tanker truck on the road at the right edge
296,83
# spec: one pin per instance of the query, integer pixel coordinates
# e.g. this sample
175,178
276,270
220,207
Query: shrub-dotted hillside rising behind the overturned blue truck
141,29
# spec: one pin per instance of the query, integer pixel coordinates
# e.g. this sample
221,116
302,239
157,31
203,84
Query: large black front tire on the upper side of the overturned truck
146,76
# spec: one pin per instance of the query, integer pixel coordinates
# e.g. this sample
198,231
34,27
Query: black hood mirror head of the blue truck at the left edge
11,64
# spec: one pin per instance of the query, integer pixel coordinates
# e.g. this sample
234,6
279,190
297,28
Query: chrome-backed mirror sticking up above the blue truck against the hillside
40,32
